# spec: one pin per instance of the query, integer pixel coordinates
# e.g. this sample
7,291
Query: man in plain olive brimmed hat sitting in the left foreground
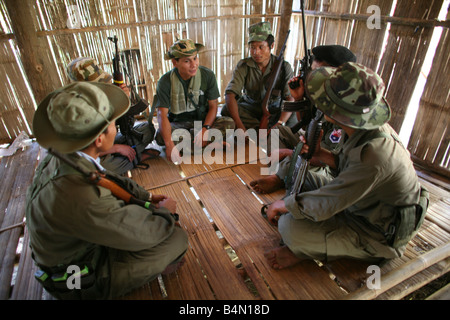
74,222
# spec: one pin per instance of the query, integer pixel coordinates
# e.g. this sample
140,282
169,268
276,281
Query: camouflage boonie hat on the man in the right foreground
351,94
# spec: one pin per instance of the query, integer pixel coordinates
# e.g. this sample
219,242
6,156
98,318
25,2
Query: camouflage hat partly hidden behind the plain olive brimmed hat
87,69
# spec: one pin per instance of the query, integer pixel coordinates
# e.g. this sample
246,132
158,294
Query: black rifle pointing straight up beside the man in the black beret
304,105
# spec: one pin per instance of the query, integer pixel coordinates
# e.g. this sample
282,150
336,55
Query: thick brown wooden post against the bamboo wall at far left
35,55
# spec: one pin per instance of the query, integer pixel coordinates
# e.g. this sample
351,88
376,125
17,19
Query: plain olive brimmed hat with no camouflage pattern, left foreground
72,117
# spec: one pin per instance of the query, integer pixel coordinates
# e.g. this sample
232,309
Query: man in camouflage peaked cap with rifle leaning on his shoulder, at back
246,90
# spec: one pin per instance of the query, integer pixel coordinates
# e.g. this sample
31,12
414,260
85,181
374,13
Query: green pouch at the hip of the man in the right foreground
408,221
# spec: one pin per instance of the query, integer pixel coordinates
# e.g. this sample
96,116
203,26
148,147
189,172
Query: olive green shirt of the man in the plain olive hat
71,220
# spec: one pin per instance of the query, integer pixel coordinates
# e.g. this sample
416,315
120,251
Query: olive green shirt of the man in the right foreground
373,179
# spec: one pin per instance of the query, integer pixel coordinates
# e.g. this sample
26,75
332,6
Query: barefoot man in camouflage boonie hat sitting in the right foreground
375,204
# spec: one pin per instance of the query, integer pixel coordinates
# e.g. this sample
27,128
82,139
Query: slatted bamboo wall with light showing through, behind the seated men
146,29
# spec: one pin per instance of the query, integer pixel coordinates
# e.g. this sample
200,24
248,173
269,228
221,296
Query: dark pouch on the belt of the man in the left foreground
57,281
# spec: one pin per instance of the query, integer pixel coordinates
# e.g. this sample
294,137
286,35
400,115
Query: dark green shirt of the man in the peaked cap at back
248,84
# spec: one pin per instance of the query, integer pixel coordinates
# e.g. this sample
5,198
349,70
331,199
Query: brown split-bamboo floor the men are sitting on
227,238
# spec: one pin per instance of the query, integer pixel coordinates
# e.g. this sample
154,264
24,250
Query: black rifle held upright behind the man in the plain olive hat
126,122
